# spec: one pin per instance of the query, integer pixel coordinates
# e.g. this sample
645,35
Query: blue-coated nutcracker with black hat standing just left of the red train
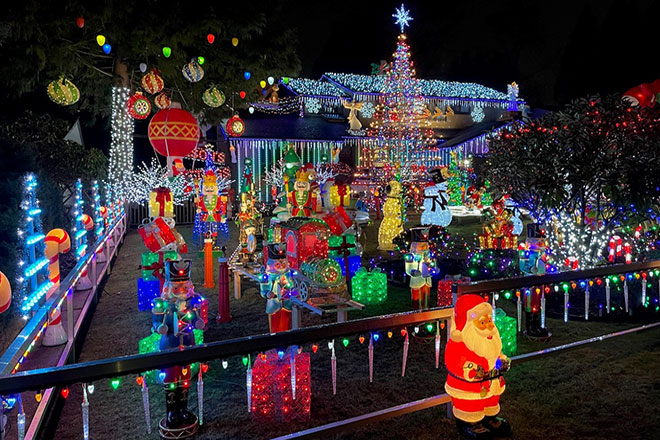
278,287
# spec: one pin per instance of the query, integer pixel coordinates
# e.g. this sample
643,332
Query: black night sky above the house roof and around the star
555,50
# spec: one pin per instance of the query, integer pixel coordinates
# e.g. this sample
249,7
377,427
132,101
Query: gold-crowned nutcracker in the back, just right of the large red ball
212,210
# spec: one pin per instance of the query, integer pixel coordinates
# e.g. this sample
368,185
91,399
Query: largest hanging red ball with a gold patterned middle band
173,132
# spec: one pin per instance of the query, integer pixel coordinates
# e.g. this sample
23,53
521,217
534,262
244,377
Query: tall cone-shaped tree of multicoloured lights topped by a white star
398,119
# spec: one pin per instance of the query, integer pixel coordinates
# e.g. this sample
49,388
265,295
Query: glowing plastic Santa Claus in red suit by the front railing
475,365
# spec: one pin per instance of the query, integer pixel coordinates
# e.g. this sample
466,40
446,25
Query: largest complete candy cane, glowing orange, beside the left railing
57,242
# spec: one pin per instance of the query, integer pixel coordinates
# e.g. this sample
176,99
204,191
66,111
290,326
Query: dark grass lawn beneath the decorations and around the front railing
609,390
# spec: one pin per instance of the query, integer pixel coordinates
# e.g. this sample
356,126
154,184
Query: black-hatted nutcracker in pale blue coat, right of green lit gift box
419,267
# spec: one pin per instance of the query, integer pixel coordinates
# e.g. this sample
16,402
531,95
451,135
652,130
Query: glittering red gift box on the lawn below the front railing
277,394
